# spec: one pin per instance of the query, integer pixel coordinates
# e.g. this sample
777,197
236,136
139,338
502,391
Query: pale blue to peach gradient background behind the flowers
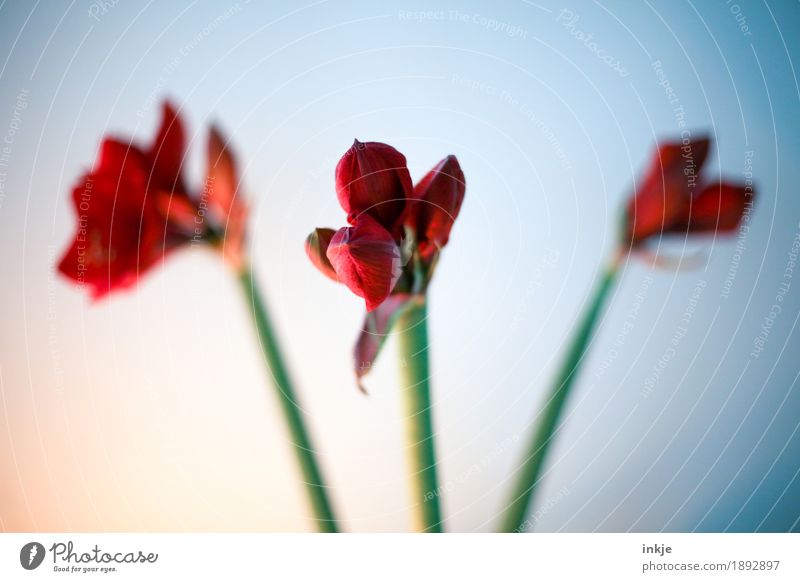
149,411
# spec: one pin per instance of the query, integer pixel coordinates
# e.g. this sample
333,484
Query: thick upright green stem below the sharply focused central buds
415,375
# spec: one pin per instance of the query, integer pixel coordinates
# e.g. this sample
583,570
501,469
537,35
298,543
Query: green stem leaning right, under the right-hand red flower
533,461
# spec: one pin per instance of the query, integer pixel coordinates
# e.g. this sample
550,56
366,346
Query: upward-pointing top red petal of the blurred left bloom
168,150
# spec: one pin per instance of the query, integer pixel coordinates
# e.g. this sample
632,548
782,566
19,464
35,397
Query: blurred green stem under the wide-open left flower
304,451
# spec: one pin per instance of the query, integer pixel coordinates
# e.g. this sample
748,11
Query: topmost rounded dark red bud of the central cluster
372,178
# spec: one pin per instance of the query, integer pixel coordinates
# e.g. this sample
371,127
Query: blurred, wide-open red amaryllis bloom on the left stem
134,207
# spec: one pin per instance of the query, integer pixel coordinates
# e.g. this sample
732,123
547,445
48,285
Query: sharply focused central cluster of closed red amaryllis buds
388,253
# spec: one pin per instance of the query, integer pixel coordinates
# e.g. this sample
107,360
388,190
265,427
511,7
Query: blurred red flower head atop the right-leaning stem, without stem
675,198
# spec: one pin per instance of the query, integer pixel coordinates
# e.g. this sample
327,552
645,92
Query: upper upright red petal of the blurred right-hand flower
662,197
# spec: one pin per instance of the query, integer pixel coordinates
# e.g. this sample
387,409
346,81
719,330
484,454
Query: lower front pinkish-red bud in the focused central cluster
366,259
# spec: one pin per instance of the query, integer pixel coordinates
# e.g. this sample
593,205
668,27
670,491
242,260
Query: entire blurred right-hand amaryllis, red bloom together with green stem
673,198
